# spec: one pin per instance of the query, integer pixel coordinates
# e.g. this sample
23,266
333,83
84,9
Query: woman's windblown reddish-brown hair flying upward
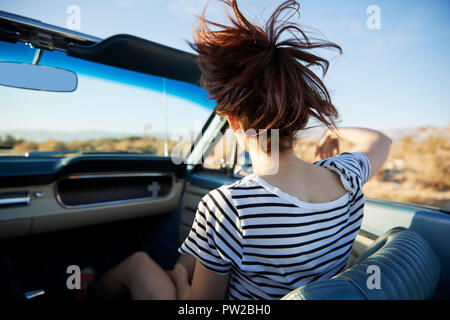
263,77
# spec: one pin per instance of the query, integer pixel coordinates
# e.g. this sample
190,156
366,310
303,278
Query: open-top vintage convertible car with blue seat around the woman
93,207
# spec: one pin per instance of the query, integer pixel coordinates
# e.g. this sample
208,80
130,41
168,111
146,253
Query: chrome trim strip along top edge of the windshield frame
47,27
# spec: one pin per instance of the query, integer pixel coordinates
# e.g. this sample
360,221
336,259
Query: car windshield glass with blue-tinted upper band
112,110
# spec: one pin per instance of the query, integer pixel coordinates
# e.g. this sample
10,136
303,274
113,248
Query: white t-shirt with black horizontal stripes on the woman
271,242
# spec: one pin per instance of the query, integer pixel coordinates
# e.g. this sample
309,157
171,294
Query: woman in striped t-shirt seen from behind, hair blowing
291,222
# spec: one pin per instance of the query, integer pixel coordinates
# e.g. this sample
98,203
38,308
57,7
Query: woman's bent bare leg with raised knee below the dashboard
138,275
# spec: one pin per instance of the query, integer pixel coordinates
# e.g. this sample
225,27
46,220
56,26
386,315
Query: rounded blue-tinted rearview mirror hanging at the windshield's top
36,77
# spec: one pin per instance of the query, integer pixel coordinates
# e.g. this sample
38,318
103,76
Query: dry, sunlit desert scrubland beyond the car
417,169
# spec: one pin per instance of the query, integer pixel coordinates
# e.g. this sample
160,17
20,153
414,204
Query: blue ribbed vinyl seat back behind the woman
408,269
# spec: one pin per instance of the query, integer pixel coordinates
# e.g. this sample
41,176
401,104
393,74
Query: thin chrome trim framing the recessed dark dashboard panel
110,175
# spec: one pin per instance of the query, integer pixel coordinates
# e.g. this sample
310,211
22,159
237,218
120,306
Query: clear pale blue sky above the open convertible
393,73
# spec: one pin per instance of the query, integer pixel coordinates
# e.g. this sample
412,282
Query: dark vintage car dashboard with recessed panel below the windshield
40,195
